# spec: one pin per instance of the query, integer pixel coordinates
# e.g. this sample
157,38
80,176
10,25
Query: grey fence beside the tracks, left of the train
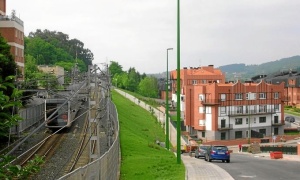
31,116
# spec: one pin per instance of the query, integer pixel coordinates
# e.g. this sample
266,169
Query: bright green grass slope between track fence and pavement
141,157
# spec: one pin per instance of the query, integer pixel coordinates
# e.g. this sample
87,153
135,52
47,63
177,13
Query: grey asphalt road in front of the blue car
256,167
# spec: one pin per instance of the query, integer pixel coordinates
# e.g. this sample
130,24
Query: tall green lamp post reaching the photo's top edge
178,85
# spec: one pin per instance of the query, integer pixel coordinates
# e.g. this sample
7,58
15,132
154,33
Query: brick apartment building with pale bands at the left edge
12,29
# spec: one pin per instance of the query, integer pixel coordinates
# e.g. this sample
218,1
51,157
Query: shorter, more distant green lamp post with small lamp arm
167,103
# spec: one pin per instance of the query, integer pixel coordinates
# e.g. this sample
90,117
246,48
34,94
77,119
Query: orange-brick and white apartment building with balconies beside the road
213,109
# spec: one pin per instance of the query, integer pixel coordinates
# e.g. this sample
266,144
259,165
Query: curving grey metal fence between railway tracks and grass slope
108,165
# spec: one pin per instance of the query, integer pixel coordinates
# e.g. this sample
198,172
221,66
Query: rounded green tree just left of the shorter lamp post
148,87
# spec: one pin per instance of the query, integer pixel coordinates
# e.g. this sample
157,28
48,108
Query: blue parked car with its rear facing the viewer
217,153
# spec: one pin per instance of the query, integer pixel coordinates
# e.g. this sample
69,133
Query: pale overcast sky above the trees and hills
137,33
